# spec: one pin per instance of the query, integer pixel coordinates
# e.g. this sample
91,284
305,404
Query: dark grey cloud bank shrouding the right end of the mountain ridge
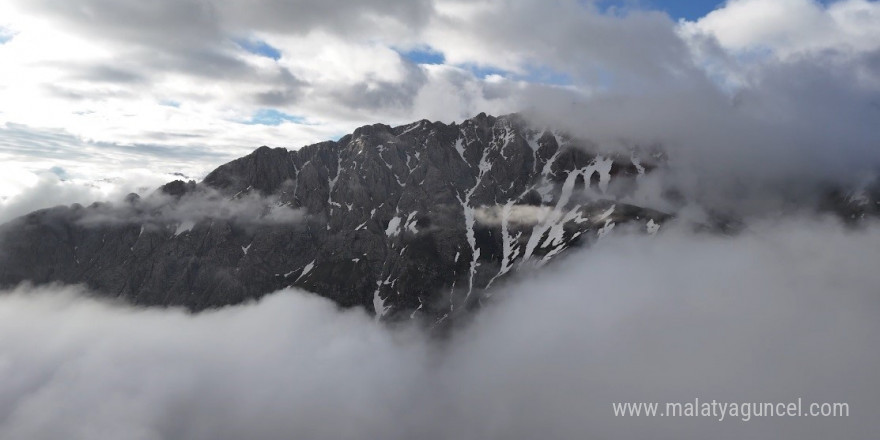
796,128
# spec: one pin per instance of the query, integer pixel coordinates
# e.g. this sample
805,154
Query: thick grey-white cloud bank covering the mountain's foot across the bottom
786,309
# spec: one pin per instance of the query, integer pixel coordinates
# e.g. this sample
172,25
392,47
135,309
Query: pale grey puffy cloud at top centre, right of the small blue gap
568,36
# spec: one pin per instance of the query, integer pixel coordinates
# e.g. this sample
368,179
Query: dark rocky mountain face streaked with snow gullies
416,220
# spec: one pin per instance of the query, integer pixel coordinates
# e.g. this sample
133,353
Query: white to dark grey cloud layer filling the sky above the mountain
754,95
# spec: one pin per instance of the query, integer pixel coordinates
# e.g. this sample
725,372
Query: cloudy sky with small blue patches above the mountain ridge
99,98
